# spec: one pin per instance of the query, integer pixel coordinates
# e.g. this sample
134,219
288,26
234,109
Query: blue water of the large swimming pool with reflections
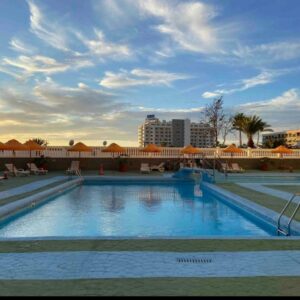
133,210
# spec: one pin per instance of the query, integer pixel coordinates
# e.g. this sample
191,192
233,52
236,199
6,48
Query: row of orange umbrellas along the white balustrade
14,145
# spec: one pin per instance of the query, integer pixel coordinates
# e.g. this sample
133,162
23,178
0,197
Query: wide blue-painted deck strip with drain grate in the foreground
90,264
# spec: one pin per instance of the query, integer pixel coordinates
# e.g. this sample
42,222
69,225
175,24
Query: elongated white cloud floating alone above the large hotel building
137,77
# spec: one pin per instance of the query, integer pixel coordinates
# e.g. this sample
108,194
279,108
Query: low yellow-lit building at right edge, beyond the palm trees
290,137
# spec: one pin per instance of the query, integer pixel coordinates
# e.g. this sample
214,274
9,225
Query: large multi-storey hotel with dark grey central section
175,133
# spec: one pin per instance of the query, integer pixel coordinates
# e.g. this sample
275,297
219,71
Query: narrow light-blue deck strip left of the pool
30,187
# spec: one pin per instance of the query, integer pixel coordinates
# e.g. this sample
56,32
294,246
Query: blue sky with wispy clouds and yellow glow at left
91,70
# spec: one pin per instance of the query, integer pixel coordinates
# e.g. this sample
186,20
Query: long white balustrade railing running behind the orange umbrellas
135,152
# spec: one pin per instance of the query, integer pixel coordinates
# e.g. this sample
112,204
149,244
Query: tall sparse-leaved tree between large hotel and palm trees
214,116
